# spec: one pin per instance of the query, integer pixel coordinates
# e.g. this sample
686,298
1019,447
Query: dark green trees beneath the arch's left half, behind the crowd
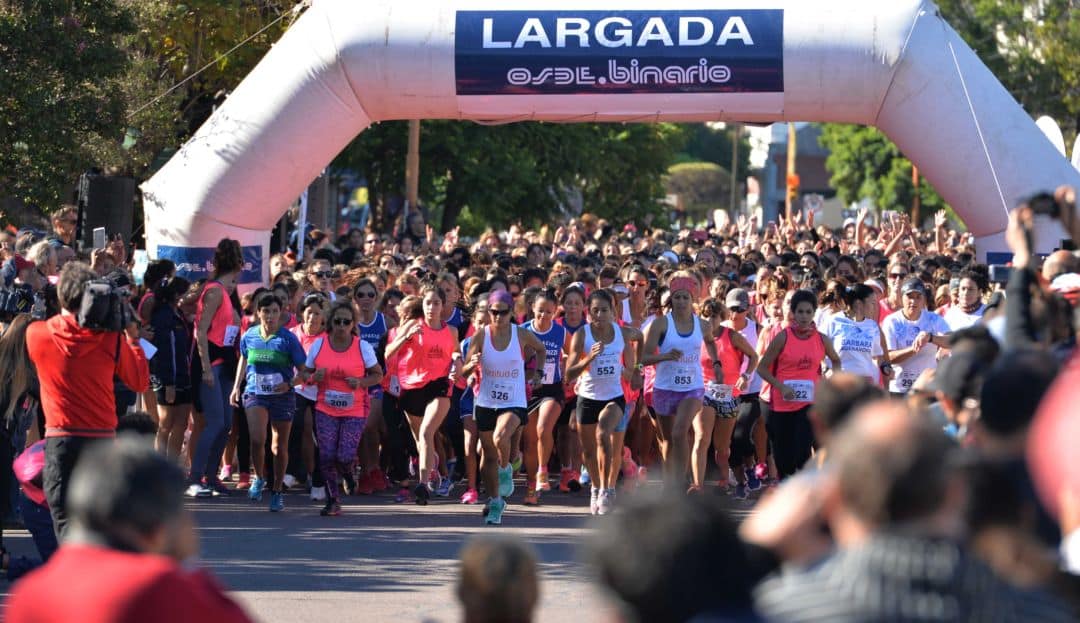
520,172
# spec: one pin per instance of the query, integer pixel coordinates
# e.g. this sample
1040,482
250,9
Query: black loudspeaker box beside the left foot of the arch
109,202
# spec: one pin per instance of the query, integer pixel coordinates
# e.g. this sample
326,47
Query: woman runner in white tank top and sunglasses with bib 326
506,355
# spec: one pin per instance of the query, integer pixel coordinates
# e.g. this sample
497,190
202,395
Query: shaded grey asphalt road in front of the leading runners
381,561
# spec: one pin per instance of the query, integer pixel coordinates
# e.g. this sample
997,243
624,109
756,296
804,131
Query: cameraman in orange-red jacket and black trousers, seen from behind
75,368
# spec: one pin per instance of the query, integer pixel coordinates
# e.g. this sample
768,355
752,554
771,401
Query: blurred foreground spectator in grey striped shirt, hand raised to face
895,504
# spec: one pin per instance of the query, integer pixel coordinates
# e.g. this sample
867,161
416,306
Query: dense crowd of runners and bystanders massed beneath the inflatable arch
584,358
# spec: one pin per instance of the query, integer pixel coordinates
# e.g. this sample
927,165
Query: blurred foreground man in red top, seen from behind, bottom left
120,563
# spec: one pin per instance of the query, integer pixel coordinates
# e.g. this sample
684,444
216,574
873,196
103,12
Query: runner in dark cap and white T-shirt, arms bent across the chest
913,336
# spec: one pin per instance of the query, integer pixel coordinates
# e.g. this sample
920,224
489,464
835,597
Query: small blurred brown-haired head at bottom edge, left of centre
498,583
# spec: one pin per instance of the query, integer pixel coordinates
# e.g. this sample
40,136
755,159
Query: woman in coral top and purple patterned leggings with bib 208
345,368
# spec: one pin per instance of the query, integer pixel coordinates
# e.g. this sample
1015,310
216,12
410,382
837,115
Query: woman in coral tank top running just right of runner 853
717,421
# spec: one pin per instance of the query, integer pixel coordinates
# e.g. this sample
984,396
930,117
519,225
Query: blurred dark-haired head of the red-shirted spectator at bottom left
128,497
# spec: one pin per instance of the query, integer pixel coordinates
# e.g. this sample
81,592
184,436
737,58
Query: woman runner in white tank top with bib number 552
601,357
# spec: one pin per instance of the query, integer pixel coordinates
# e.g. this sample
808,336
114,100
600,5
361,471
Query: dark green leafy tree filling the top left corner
60,66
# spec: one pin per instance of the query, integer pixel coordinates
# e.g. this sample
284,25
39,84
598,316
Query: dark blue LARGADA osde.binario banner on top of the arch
601,52
